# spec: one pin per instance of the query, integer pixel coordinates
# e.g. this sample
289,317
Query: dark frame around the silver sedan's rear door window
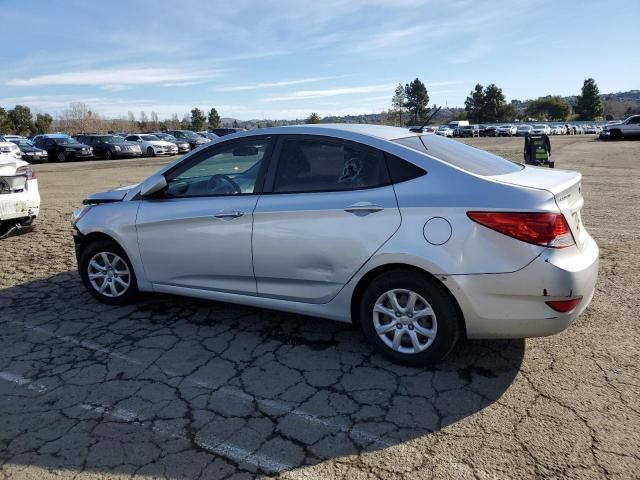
273,165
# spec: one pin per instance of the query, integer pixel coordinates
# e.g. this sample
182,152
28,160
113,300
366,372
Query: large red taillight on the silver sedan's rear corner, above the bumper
546,229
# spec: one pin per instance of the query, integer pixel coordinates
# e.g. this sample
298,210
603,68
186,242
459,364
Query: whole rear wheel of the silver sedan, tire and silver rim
409,318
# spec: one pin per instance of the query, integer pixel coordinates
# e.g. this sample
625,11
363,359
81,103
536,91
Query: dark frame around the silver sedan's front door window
211,150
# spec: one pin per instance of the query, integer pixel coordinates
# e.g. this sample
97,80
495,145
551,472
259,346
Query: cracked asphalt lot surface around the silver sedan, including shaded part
189,389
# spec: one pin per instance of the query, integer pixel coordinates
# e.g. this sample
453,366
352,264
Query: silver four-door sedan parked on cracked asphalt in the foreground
418,239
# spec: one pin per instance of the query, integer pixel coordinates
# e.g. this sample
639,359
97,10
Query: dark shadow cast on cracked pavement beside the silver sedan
180,387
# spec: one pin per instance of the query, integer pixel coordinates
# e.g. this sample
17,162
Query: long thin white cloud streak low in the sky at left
116,77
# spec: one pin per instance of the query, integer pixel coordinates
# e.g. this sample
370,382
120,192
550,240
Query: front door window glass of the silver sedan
227,170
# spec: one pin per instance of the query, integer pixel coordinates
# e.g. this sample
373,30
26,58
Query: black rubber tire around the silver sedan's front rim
107,246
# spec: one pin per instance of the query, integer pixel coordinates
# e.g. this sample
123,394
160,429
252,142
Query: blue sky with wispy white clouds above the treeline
286,59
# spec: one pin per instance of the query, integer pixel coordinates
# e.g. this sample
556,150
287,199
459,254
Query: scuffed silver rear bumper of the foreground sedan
512,305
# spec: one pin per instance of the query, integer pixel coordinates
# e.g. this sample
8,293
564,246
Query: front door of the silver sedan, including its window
197,233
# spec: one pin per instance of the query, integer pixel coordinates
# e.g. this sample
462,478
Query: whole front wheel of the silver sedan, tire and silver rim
107,272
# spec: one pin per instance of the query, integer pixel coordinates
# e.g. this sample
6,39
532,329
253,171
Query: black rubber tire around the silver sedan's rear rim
446,313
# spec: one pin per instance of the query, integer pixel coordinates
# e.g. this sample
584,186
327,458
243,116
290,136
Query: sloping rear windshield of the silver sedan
458,154
